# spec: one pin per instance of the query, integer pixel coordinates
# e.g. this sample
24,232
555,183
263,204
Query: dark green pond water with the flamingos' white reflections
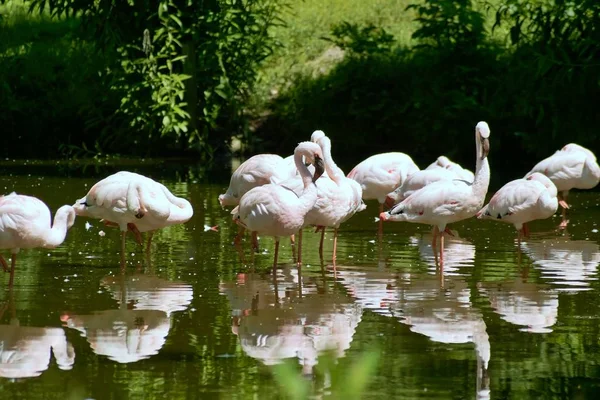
197,322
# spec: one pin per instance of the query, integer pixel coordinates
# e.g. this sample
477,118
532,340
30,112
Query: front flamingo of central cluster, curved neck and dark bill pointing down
275,210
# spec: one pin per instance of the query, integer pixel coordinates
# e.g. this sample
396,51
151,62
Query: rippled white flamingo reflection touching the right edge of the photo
568,265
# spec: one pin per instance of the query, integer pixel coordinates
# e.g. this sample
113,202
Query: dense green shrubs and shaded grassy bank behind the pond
167,77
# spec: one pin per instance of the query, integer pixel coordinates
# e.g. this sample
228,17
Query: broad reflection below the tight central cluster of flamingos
290,318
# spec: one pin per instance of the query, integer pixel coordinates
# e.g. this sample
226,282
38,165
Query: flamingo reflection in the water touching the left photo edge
25,351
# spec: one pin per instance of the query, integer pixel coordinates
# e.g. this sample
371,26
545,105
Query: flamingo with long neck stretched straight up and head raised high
447,201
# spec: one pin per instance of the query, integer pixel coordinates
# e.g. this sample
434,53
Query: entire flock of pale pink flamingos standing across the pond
275,196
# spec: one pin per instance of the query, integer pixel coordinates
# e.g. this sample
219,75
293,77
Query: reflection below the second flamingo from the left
139,327
